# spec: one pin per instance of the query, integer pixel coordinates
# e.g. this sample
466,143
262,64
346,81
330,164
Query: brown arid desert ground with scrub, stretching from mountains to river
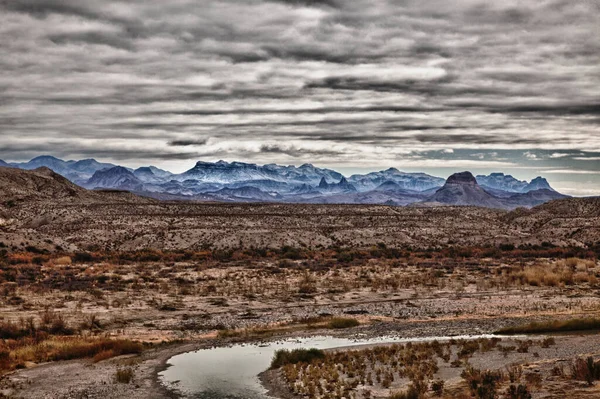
100,289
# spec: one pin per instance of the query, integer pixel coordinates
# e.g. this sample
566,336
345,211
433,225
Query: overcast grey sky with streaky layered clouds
433,86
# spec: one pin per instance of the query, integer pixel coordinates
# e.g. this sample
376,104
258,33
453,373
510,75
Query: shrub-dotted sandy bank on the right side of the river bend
543,367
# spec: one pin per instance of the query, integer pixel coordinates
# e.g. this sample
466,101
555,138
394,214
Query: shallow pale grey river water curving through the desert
232,372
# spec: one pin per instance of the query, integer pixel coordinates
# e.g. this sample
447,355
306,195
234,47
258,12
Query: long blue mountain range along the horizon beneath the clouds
247,182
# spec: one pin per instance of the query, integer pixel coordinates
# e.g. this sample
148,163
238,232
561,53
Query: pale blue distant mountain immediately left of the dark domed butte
407,181
